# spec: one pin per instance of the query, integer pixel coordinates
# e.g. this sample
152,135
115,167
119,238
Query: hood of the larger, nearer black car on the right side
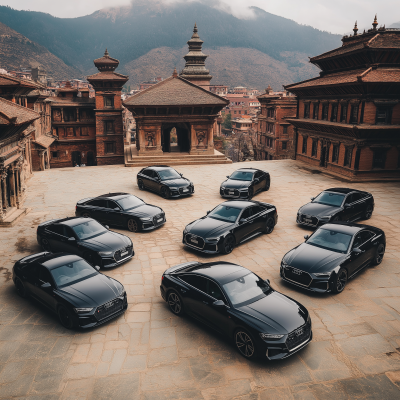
312,259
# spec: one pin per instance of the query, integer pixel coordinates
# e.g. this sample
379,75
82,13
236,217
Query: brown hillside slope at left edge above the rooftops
16,51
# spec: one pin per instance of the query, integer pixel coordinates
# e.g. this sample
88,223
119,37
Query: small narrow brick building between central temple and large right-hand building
275,135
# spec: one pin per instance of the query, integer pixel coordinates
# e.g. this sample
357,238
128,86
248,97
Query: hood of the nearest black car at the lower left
92,292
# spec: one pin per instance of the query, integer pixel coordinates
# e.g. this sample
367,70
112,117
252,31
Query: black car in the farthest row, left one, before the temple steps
165,181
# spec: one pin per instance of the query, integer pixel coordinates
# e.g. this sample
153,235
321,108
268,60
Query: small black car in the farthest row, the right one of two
244,183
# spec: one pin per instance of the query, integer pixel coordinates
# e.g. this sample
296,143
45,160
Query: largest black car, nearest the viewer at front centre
239,304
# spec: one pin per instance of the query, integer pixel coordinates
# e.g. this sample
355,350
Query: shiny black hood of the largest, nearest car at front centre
280,313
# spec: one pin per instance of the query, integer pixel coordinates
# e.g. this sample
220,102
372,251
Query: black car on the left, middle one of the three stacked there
86,238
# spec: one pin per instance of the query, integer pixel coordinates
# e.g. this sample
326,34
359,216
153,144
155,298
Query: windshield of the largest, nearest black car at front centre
246,290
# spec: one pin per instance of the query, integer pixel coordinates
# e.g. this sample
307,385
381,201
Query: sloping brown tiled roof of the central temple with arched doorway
175,91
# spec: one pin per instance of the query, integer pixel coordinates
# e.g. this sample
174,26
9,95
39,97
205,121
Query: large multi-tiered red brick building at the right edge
348,118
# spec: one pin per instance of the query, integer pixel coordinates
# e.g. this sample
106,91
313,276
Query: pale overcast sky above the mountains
336,16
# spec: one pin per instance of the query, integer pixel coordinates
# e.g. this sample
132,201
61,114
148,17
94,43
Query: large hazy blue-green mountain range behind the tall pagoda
135,32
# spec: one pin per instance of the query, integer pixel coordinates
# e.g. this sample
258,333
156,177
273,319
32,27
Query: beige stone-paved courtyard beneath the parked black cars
148,353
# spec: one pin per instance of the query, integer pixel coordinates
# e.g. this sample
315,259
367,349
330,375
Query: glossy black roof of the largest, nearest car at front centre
220,271
